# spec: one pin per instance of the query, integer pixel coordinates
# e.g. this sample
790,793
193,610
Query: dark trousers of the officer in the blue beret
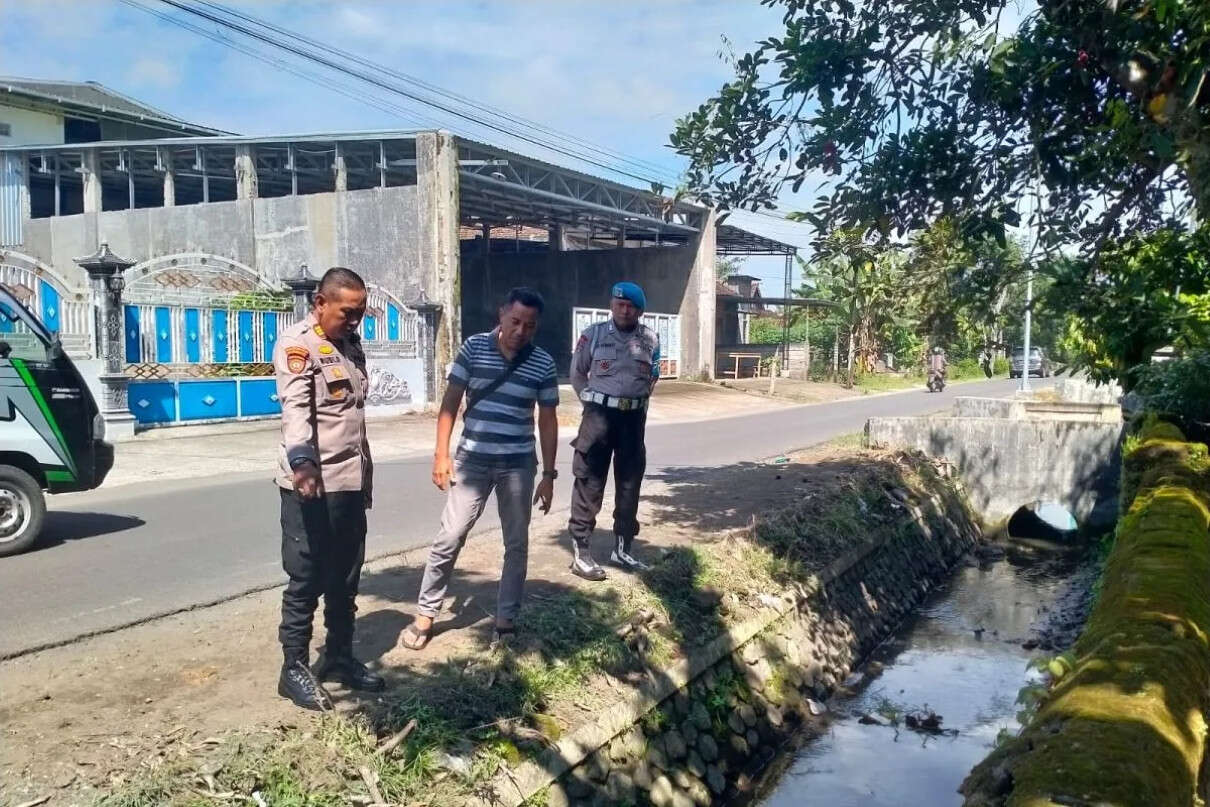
608,435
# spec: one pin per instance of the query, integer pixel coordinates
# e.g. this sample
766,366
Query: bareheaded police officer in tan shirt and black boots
326,488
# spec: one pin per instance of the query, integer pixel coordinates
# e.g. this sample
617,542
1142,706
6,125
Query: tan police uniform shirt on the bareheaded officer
322,387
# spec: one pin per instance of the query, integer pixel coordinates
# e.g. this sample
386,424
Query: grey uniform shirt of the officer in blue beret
615,364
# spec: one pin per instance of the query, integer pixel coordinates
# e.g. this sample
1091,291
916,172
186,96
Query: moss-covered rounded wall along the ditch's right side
1123,722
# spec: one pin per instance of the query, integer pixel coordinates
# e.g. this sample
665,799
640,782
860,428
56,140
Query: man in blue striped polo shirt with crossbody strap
503,376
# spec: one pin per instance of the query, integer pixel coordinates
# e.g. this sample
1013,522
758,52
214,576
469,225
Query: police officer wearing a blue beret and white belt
614,370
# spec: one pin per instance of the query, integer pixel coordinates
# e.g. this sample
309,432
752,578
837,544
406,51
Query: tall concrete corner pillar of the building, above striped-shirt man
437,185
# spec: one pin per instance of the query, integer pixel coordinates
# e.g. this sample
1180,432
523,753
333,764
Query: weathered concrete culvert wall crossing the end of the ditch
1013,453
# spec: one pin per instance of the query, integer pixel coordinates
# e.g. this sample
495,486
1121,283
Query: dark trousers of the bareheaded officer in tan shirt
324,546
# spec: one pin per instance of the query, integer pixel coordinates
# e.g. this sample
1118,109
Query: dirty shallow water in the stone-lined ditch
963,659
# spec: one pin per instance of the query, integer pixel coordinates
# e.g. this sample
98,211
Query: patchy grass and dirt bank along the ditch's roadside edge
579,652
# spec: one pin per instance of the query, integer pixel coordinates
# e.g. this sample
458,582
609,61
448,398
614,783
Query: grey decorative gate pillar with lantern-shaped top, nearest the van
107,284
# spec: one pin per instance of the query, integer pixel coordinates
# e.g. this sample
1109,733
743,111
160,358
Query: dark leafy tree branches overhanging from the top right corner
915,112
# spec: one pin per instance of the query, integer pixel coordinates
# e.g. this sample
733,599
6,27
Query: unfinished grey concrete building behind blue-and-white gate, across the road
441,227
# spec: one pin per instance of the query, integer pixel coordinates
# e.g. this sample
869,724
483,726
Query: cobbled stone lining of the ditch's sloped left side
694,734
